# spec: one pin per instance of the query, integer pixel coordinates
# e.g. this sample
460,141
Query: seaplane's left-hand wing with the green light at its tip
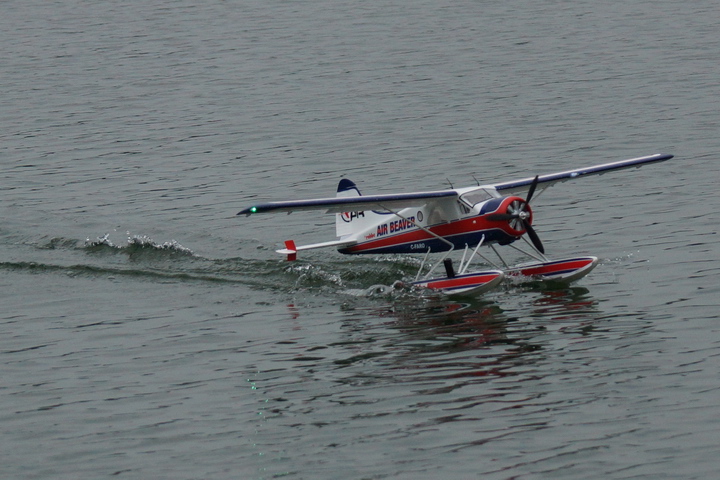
347,204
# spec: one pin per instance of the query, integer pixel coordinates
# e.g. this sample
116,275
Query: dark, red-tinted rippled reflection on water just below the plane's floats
448,339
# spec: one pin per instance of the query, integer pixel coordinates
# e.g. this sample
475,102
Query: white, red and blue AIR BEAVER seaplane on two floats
448,221
